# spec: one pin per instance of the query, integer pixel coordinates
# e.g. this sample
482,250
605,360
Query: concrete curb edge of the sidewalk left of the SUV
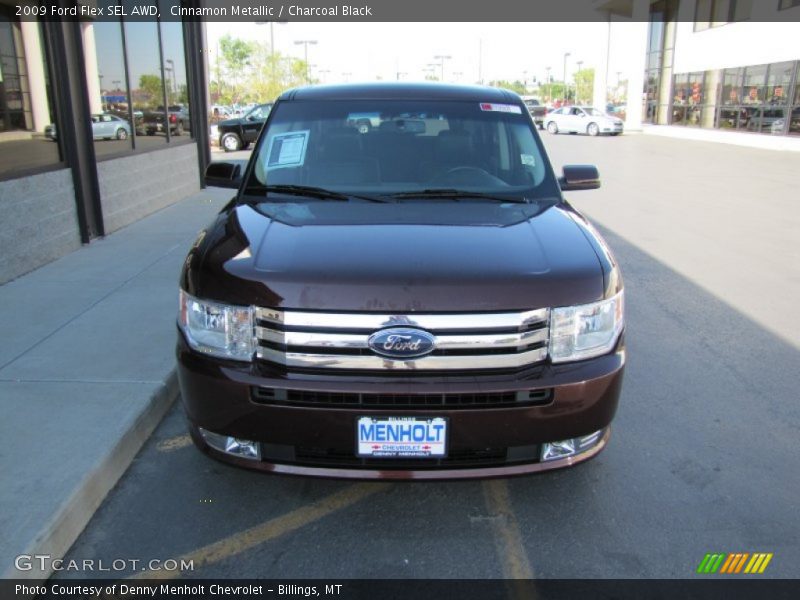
60,532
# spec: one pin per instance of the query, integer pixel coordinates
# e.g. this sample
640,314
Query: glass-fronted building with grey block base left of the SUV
86,83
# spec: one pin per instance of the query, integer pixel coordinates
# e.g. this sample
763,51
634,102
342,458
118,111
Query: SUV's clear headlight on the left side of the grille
217,329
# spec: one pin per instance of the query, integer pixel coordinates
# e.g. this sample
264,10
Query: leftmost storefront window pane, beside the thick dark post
26,116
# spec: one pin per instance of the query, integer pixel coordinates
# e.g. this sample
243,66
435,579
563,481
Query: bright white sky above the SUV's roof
487,51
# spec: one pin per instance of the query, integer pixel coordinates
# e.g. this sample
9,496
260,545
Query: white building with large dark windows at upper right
726,66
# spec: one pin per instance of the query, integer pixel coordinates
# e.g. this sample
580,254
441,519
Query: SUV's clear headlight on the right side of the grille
586,331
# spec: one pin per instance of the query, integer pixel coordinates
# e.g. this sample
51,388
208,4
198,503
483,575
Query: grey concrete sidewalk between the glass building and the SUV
86,373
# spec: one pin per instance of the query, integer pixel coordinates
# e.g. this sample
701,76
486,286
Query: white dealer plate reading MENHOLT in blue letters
401,437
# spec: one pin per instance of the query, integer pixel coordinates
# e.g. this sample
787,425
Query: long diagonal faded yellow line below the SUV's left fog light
244,540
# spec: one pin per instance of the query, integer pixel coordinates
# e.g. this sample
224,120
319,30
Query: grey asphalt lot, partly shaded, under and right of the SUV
703,455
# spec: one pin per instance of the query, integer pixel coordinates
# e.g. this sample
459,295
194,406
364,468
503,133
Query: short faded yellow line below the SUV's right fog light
512,553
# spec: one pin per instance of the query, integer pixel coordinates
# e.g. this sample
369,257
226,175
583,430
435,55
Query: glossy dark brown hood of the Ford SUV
408,260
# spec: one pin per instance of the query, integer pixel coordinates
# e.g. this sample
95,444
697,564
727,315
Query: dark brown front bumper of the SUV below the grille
318,438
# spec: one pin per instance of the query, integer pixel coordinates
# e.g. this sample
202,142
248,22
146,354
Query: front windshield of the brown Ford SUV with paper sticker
401,149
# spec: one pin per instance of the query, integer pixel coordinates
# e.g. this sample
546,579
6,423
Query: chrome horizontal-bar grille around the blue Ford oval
474,341
